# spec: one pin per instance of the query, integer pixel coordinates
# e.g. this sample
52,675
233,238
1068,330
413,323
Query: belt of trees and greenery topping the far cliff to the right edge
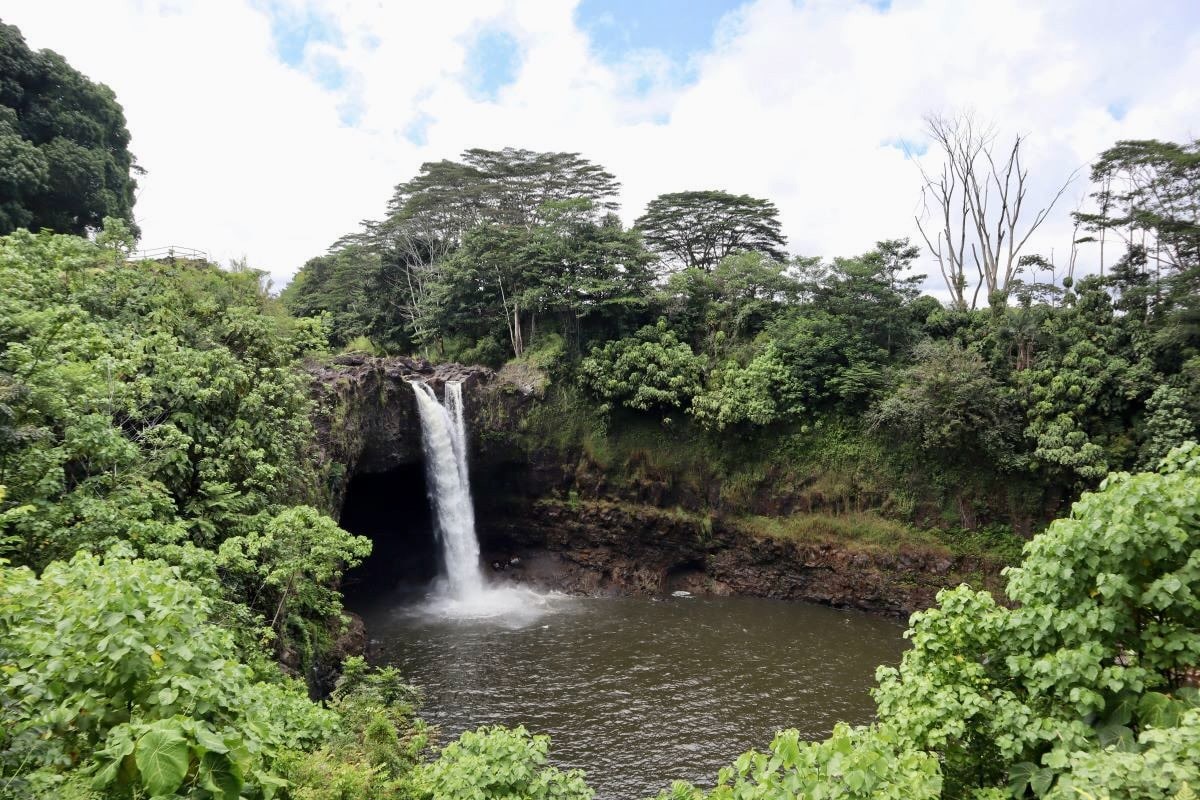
949,417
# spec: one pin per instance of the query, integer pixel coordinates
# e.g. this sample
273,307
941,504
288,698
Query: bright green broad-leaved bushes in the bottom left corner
117,683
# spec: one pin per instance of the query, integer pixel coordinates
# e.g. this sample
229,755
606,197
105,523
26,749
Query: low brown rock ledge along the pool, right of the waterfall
598,548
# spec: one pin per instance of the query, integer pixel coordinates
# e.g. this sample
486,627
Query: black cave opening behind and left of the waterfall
393,510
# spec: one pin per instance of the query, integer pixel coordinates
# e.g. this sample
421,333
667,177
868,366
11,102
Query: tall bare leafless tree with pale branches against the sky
977,200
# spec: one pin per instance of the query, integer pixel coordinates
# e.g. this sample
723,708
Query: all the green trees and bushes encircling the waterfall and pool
170,568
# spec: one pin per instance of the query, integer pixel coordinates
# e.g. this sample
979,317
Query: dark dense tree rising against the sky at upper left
65,163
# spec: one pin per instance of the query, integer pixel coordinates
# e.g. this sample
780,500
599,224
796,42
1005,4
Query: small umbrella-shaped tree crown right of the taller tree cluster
698,230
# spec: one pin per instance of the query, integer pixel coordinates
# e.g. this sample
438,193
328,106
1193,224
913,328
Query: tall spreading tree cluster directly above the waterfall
393,284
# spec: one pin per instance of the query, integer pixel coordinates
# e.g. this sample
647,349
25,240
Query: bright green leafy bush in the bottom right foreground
1085,678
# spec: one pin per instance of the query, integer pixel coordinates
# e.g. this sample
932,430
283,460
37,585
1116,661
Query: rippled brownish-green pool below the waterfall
638,693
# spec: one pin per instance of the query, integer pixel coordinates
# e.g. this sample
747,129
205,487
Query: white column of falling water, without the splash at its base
445,440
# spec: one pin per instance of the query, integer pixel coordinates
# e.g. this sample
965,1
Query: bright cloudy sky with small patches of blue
272,128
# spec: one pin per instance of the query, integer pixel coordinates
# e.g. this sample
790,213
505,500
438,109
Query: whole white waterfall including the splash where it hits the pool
464,592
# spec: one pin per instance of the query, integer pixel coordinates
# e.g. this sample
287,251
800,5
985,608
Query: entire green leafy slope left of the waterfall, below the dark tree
157,459
